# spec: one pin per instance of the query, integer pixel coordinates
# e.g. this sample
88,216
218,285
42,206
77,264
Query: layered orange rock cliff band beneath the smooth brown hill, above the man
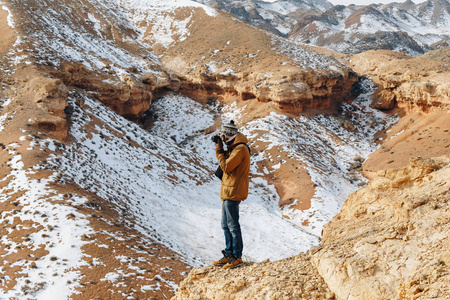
292,92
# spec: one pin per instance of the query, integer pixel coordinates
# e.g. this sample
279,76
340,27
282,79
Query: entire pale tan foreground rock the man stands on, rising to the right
390,241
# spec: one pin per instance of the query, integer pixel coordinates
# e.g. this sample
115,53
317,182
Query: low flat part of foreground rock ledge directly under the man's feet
293,278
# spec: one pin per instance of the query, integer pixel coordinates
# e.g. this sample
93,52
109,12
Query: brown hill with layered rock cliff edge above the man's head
214,61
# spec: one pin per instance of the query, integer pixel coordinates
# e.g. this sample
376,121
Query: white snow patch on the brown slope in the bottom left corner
55,275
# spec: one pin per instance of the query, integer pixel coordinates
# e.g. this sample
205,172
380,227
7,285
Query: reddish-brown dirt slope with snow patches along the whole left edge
59,240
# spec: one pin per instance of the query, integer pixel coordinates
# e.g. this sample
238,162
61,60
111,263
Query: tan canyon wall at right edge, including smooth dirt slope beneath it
418,91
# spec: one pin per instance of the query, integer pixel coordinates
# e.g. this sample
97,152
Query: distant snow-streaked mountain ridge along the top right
404,26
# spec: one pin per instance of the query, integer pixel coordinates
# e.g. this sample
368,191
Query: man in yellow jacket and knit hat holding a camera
235,163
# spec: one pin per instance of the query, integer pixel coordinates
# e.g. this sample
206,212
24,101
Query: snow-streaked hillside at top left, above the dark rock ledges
102,35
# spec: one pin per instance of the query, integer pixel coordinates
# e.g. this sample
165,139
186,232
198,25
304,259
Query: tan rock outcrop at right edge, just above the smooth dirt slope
413,84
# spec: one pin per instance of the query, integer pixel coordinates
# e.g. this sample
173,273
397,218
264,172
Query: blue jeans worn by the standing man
231,228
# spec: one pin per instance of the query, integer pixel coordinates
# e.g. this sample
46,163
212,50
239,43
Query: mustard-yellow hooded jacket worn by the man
235,163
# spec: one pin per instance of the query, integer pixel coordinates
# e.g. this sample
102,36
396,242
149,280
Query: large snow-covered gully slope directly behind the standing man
166,191
